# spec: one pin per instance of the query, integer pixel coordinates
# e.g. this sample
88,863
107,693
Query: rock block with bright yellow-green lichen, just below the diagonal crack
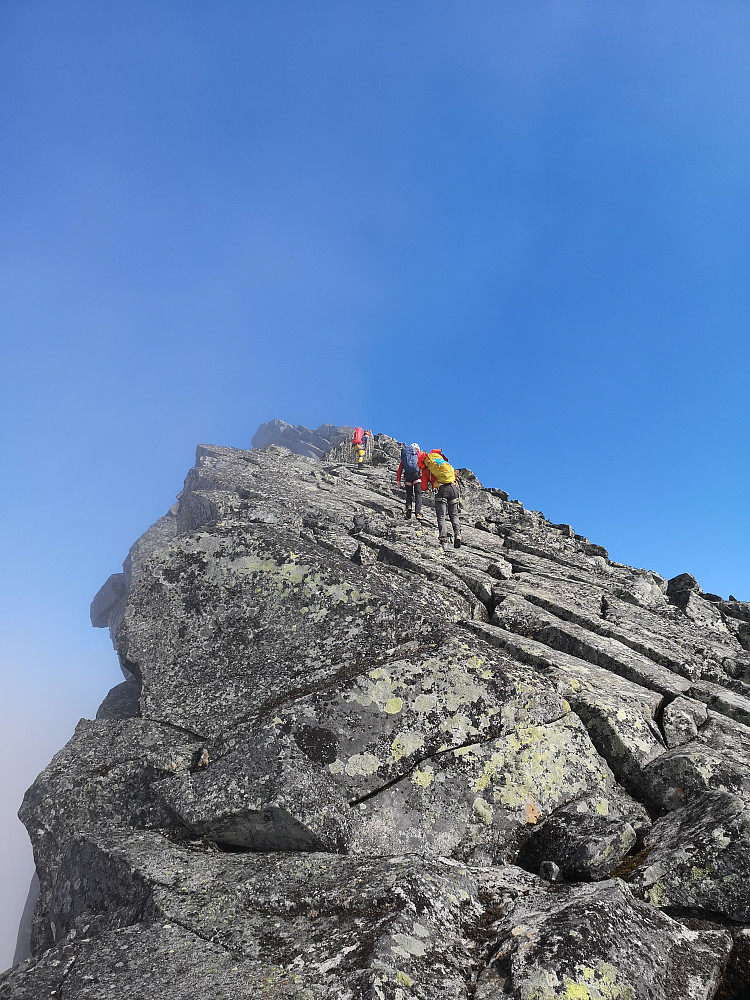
483,801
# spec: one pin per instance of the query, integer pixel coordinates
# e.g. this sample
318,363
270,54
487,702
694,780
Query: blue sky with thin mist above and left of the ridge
516,230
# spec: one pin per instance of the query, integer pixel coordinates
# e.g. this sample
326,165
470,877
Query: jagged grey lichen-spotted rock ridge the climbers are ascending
346,763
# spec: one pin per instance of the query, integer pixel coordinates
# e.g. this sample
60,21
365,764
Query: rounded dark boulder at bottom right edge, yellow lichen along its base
578,942
